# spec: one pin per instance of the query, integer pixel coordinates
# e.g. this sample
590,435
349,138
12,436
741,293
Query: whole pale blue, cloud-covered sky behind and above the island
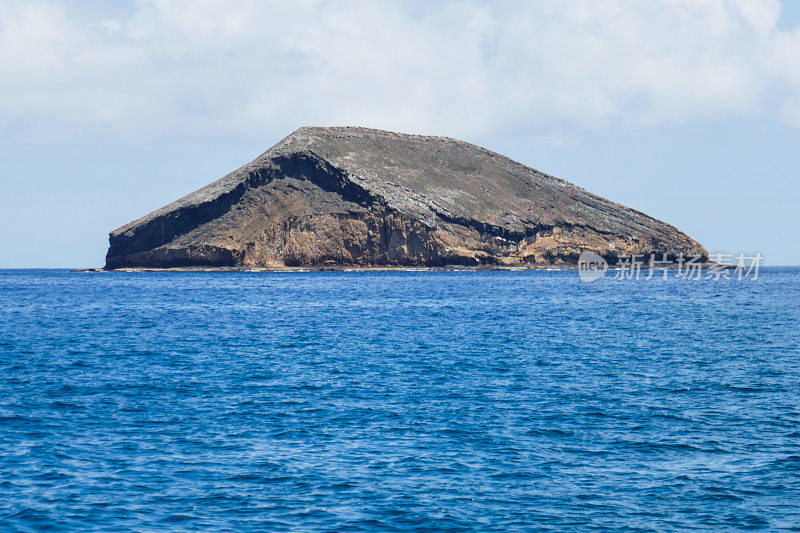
688,110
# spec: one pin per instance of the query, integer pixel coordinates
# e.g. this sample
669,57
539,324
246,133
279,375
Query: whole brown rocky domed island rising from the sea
362,197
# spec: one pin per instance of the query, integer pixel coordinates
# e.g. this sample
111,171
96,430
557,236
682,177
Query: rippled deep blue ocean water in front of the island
398,401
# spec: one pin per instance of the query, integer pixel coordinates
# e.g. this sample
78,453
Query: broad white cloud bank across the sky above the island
460,68
